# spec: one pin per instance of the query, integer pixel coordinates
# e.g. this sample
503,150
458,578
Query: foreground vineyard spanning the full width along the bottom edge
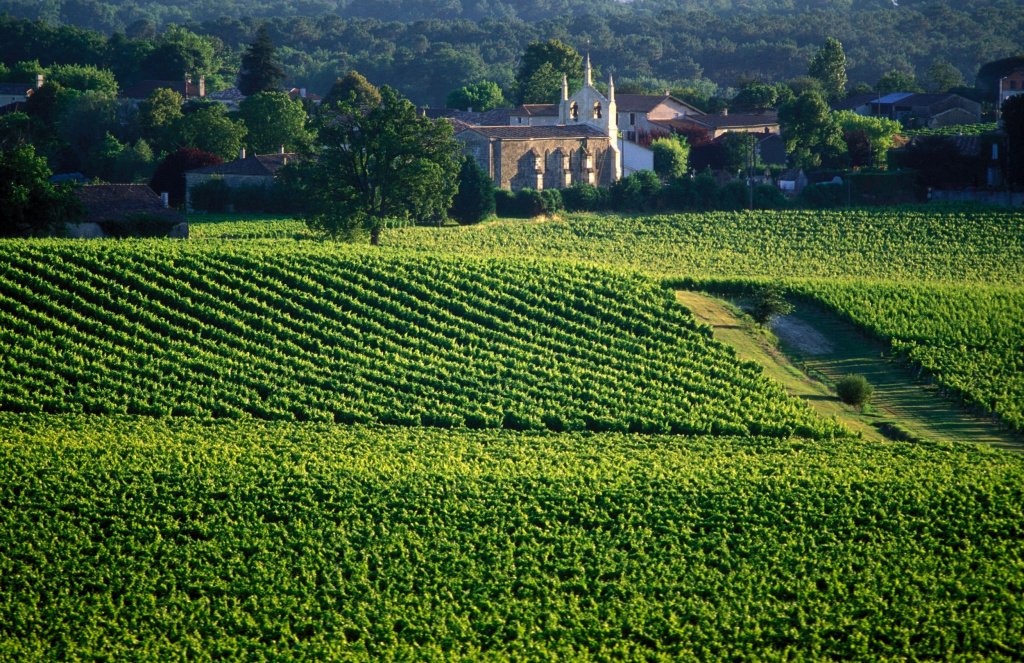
165,540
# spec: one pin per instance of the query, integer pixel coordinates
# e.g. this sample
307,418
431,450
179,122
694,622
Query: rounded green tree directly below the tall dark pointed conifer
273,120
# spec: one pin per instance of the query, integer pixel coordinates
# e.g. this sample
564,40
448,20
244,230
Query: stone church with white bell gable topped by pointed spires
580,145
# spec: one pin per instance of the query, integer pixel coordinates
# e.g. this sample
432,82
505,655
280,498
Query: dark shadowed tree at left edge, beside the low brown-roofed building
29,203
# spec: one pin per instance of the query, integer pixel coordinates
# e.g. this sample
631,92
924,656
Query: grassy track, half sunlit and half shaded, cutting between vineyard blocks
825,346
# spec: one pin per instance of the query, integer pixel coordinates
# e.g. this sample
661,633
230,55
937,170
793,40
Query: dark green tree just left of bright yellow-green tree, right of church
812,134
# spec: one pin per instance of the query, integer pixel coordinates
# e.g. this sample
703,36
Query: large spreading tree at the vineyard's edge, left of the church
377,167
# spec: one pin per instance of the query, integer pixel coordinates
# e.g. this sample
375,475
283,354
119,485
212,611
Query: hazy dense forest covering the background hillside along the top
441,46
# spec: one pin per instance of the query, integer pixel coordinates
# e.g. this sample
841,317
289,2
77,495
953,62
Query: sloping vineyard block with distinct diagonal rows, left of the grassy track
313,334
